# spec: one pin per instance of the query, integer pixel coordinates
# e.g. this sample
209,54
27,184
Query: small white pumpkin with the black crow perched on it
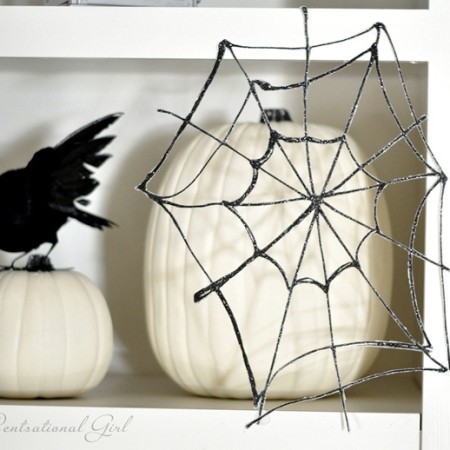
55,334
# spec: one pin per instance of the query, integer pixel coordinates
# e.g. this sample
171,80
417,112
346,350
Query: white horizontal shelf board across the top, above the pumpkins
194,33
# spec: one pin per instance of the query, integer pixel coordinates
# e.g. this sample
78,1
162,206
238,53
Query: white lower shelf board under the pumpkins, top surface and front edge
152,413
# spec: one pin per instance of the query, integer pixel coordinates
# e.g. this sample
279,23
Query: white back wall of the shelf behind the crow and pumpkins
42,103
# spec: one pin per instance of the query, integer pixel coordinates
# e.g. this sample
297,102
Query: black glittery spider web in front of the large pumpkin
315,216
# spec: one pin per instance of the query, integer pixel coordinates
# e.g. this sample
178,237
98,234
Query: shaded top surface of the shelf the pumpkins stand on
397,394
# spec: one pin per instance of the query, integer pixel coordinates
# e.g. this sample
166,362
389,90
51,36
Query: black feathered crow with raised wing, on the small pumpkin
35,201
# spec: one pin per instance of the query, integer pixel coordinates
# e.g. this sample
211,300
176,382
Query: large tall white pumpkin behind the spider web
195,342
